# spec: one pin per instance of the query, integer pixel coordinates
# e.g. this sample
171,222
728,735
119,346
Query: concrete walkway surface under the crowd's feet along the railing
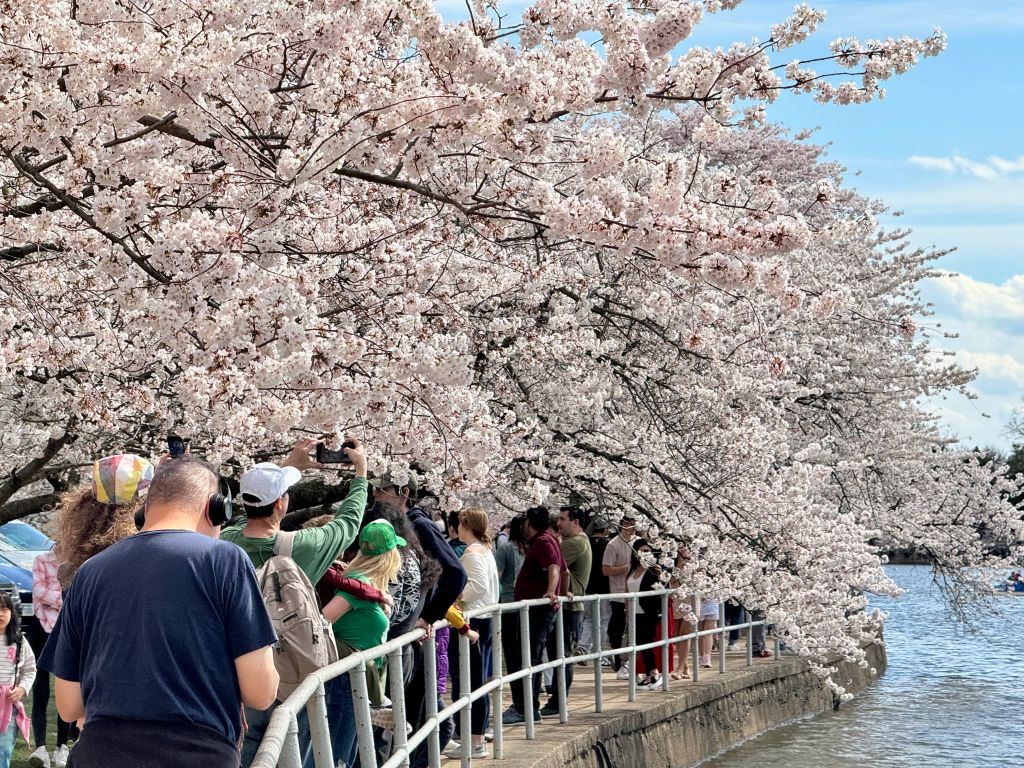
552,736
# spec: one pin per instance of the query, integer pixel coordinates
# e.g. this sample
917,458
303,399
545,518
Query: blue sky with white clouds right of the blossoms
945,148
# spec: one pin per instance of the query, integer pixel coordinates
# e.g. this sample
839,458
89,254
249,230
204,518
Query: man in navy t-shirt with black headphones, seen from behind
163,636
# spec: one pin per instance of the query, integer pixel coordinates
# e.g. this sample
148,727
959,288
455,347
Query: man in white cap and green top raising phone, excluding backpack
264,493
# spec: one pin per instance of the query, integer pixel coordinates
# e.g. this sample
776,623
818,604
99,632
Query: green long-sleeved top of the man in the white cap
314,549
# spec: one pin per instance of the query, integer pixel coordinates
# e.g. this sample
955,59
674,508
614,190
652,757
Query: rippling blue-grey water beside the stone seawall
949,699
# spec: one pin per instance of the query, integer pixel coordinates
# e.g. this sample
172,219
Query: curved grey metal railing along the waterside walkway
281,742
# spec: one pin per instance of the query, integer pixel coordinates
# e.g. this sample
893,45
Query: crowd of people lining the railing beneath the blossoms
176,618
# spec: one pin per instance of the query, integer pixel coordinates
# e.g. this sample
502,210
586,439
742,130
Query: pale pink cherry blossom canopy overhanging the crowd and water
514,263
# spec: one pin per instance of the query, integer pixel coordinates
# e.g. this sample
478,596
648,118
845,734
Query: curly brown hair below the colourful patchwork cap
87,528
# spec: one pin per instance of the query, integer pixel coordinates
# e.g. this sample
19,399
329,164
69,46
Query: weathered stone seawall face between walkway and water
701,722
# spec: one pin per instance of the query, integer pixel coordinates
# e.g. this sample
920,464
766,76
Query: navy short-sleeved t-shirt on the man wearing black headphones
152,626
